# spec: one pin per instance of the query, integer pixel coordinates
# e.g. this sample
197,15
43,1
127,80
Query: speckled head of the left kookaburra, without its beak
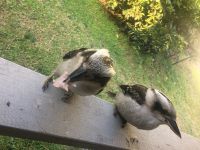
101,62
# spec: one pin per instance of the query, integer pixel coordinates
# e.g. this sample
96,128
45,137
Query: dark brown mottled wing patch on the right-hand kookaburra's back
136,92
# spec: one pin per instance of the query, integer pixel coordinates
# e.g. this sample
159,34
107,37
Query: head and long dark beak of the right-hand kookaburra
163,109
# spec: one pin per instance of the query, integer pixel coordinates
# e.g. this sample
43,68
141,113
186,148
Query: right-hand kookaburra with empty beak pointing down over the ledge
145,108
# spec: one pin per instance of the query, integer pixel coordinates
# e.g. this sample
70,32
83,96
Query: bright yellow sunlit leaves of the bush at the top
138,14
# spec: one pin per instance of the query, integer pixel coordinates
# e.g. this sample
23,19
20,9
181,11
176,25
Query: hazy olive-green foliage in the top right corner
182,14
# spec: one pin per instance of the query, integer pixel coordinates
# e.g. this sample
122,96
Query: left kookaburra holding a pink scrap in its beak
84,72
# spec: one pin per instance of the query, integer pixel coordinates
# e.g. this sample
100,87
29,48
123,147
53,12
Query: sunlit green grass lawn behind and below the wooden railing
36,34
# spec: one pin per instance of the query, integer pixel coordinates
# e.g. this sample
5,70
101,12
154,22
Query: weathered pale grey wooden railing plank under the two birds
27,112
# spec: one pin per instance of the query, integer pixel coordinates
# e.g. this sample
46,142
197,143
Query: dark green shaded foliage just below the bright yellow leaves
157,39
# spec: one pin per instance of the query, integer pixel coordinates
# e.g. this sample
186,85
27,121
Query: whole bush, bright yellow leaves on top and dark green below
143,22
